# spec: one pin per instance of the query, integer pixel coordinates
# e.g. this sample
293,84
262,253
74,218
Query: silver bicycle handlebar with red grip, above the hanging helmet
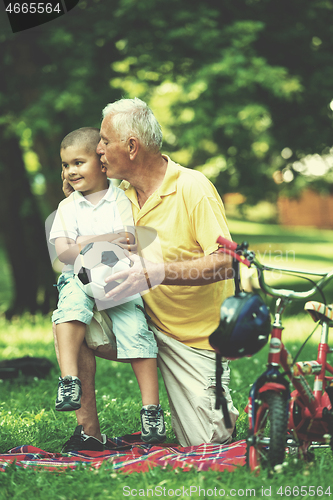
247,257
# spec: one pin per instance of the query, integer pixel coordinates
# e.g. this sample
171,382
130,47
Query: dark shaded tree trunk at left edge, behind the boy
23,234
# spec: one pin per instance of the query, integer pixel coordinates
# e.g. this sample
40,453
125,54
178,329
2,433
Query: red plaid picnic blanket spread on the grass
128,454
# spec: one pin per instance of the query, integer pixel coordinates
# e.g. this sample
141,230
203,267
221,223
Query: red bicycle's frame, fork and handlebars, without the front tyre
308,412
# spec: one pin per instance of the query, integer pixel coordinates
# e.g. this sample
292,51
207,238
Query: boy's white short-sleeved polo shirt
76,216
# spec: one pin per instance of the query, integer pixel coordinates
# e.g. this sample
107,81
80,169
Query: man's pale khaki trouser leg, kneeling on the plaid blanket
189,378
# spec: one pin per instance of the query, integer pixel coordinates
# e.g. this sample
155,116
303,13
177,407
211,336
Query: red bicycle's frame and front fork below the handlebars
311,403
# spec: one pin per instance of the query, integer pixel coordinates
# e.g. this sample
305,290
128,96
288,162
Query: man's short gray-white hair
133,117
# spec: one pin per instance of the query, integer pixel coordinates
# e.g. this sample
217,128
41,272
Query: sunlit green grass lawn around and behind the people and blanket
27,415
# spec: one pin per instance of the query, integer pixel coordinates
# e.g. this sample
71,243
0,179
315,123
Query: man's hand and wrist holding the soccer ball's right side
137,279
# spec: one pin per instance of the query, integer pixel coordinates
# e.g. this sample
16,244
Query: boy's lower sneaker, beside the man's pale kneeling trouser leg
152,424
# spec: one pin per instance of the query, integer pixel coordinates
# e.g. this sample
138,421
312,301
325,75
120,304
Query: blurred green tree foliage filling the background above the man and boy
242,87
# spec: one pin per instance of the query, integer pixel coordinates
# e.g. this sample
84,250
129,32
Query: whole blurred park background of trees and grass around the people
243,90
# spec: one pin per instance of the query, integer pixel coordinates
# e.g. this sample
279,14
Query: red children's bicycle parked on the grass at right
278,420
